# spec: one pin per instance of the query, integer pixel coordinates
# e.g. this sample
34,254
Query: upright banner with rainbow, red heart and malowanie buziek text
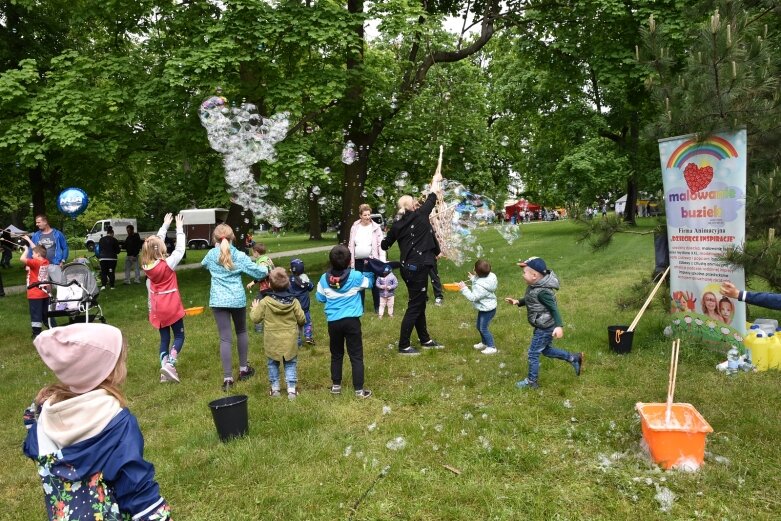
705,198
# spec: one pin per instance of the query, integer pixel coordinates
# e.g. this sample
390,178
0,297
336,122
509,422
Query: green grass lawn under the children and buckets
571,450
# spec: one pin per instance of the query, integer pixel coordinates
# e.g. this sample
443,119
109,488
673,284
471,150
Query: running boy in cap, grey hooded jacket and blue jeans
543,315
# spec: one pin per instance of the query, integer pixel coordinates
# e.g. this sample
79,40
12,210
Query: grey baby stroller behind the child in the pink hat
74,294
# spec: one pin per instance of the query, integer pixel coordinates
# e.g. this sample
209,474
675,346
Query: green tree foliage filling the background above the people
563,98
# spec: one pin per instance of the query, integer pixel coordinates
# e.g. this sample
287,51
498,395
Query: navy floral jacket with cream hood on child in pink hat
90,457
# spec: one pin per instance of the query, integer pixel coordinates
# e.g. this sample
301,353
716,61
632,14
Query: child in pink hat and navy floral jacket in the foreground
88,447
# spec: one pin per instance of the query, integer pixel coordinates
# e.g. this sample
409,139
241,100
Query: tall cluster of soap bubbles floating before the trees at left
244,137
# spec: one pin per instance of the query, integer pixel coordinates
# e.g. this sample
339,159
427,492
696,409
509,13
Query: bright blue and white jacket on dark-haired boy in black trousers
340,290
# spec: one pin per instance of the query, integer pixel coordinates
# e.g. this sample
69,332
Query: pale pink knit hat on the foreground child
80,355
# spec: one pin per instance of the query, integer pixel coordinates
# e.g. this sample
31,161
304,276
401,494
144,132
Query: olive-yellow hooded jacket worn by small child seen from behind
281,315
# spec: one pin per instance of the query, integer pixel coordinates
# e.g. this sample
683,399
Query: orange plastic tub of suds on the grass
682,441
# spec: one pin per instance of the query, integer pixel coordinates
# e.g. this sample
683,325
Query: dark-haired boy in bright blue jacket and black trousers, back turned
340,289
